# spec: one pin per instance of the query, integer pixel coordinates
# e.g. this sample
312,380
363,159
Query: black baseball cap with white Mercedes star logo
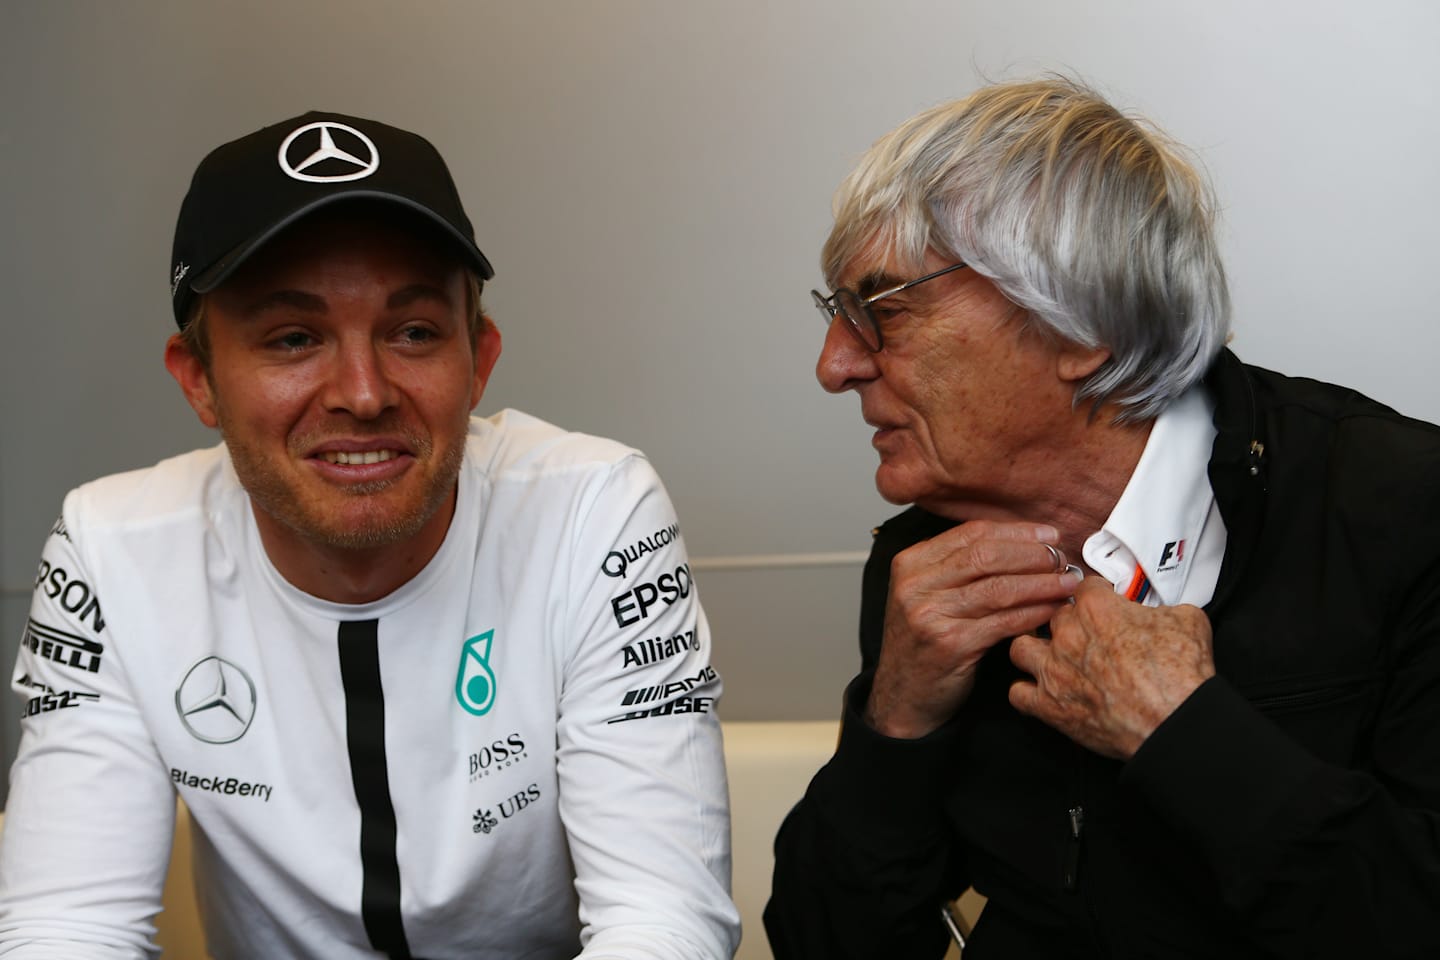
248,191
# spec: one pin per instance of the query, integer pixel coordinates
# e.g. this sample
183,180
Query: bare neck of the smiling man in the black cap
352,575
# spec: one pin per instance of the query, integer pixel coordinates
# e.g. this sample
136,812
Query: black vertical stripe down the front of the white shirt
365,738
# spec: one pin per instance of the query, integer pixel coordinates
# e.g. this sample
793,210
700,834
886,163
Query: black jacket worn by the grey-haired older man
1290,808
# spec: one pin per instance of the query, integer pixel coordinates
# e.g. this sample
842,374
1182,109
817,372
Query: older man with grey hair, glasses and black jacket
1153,661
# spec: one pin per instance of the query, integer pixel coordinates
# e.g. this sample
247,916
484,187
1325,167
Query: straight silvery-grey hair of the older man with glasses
1092,222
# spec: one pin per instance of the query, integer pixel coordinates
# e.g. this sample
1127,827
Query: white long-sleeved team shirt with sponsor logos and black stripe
515,755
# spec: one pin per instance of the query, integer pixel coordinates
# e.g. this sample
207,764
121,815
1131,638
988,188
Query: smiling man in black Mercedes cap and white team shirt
431,686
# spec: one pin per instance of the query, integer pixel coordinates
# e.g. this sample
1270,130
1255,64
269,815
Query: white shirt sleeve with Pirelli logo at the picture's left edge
91,811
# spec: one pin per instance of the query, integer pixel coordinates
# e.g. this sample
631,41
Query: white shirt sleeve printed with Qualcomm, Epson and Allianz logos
642,768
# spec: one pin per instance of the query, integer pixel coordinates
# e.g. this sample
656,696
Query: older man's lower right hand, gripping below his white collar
1112,670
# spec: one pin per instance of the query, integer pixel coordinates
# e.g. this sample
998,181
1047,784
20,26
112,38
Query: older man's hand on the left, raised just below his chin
951,599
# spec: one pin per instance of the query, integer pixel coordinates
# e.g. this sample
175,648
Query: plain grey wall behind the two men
653,185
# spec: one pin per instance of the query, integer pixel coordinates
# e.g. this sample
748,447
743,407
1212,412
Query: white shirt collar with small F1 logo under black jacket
1167,522
